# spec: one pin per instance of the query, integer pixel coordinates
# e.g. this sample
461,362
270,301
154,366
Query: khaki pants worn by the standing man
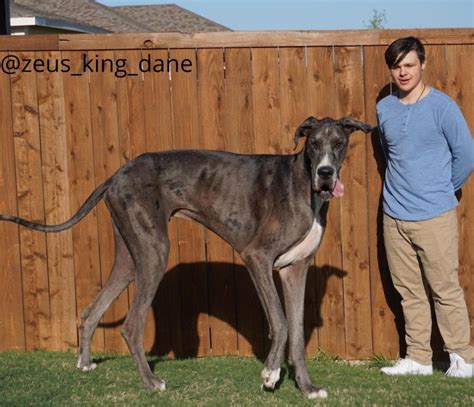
427,252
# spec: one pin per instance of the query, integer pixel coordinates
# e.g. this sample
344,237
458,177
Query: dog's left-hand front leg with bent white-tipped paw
260,269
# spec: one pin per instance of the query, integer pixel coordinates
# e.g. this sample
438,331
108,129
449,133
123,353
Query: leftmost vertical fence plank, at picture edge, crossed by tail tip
12,323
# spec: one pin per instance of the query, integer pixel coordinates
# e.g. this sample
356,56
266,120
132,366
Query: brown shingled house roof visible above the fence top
90,16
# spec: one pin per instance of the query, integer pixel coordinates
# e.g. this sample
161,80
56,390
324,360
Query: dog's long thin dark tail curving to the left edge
86,207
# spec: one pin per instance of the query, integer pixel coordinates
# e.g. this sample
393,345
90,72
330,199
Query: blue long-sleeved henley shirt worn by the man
430,154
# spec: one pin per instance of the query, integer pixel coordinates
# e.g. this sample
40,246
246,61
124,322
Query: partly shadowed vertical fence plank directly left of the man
385,300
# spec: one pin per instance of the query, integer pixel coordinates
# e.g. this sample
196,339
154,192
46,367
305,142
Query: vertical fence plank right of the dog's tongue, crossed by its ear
349,85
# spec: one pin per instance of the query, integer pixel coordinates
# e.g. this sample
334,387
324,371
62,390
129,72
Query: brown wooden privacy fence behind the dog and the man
69,118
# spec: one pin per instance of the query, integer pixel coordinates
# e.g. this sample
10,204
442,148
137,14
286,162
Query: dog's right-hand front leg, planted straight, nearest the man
293,283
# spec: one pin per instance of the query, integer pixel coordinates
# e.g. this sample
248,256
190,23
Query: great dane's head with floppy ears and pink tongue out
325,149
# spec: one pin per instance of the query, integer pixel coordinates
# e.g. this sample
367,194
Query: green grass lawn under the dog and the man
50,378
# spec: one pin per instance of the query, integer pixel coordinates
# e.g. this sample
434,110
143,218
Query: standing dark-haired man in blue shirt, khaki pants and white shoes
430,155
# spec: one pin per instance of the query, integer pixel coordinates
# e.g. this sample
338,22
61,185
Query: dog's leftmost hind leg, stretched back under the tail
123,272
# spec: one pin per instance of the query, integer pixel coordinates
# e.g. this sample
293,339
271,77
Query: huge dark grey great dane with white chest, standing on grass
267,207
